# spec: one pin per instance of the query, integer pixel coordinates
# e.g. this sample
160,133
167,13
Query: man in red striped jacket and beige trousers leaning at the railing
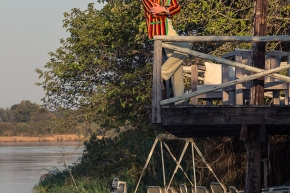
159,18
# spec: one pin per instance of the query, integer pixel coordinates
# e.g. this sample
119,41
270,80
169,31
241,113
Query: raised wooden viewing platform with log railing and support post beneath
234,115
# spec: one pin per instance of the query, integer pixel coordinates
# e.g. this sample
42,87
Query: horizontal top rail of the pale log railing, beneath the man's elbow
222,38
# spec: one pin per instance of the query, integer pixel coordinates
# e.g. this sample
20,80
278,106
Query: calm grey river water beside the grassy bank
22,163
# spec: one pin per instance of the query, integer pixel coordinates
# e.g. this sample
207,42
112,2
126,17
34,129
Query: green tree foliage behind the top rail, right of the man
231,18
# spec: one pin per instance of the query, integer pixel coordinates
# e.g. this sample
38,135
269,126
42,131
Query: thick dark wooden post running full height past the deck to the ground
253,144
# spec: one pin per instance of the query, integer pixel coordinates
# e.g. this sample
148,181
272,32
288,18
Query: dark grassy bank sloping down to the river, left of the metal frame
104,159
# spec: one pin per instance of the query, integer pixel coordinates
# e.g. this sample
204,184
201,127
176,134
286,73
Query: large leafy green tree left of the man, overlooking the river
103,68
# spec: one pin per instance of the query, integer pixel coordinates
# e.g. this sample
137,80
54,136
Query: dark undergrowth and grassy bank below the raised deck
104,159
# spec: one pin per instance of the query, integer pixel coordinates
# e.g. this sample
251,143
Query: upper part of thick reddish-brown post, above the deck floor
258,50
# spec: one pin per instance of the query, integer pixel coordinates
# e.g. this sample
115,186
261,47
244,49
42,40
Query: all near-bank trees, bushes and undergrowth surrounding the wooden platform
102,73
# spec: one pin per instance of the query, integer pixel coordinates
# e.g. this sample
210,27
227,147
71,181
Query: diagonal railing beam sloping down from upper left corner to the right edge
223,61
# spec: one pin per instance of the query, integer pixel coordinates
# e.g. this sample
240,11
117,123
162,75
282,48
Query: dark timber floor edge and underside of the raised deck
212,121
